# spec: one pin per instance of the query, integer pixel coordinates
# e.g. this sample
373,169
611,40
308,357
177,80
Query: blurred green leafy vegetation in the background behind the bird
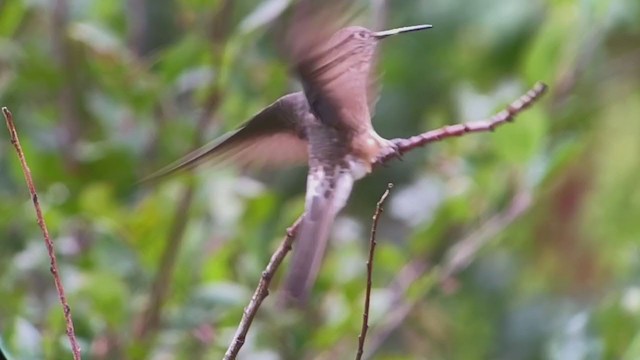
105,91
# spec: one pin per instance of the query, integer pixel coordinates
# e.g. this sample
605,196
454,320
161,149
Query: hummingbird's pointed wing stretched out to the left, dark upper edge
274,137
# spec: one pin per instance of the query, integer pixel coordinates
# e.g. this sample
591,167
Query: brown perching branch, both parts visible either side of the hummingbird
402,147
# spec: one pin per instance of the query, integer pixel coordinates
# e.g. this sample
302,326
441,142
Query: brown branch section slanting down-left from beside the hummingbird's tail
262,291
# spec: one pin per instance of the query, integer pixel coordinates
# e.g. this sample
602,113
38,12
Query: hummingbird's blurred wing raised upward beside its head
332,62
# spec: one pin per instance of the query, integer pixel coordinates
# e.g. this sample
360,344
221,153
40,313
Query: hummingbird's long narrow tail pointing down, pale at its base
327,194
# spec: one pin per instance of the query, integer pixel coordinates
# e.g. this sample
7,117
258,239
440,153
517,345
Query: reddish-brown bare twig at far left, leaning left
75,348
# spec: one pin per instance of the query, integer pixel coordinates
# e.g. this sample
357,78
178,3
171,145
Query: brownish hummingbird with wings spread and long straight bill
328,125
